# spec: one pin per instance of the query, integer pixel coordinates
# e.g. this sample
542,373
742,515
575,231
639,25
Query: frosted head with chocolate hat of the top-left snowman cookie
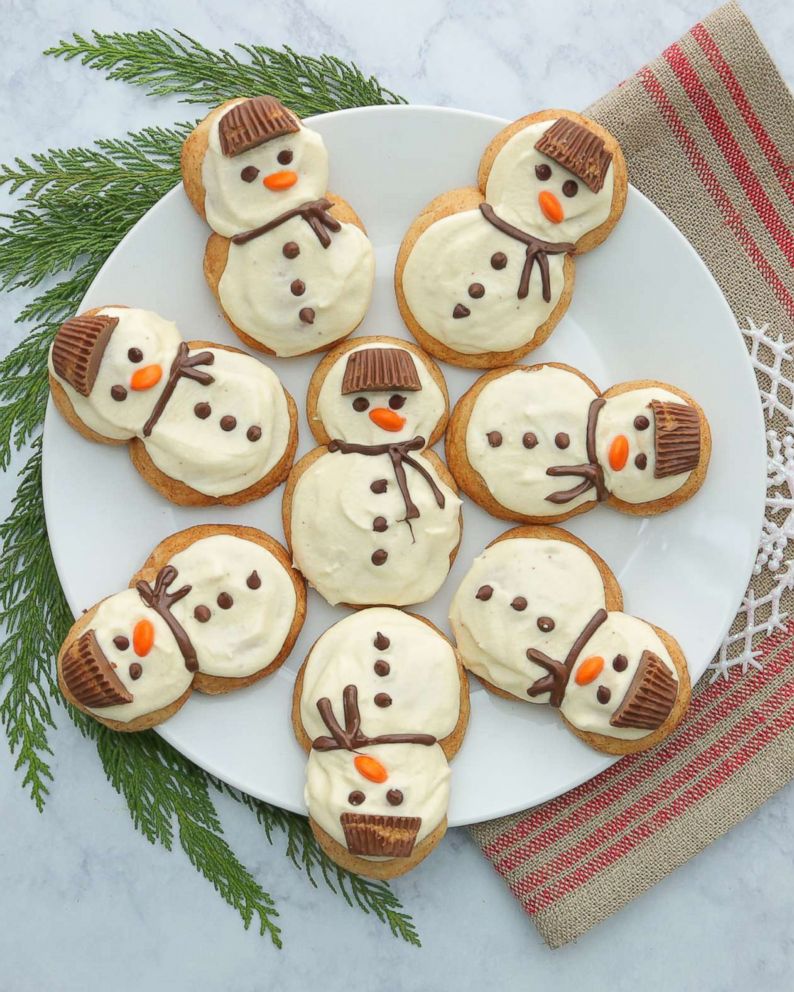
260,162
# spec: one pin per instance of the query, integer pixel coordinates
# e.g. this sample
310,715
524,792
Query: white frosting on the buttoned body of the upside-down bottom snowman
422,681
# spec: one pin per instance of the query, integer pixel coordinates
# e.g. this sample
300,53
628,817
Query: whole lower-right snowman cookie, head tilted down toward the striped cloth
539,618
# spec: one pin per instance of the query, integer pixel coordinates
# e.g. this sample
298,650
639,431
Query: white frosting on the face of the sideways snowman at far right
616,417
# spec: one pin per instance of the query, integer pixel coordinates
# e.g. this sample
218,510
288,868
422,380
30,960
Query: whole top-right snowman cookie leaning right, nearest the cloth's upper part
485,273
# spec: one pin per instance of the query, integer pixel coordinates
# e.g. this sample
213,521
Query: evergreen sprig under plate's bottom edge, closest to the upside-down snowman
302,849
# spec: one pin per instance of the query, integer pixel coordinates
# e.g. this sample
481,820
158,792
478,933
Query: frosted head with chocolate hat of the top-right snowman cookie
555,177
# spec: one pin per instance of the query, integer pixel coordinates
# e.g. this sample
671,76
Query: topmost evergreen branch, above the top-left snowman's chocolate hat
174,63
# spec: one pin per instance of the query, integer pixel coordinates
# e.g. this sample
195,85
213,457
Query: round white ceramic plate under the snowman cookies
644,307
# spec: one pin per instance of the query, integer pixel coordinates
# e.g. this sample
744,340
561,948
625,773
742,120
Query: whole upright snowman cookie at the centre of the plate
373,517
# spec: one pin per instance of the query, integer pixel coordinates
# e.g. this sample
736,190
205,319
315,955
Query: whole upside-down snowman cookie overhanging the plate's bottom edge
381,705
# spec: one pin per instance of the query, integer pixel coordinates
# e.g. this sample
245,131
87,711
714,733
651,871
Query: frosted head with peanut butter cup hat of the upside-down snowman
380,802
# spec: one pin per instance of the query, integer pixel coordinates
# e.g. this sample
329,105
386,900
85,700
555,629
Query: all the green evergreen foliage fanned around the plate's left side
75,206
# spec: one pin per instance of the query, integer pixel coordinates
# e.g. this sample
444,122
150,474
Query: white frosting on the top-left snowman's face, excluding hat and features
233,205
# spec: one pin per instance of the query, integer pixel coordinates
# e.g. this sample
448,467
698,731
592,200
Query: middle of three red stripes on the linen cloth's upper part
703,102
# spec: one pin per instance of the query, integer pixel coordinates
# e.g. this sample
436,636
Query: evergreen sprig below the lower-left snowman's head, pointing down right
161,787
